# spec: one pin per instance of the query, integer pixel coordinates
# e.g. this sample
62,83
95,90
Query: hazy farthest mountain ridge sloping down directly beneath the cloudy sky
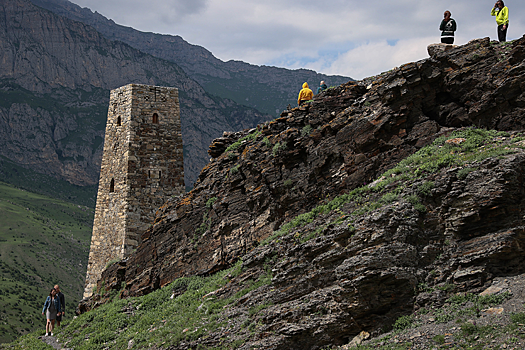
268,89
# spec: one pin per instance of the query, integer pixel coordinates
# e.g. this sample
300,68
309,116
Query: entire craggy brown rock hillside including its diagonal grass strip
451,214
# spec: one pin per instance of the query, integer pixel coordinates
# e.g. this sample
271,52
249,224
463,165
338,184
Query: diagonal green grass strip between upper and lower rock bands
476,145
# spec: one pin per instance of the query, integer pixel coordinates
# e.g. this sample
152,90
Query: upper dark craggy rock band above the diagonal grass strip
342,140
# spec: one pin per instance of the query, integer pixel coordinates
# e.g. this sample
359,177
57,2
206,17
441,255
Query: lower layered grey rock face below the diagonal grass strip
364,276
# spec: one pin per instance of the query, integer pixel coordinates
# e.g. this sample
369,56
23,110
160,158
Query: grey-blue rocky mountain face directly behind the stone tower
55,79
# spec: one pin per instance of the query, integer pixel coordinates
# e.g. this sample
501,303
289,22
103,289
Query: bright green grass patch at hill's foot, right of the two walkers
158,320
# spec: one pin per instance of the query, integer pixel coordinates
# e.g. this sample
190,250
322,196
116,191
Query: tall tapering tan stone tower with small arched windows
142,166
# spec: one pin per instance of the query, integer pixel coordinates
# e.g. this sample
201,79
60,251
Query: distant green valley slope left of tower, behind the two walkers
43,242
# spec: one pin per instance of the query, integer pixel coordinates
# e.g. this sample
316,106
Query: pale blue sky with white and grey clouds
340,37
